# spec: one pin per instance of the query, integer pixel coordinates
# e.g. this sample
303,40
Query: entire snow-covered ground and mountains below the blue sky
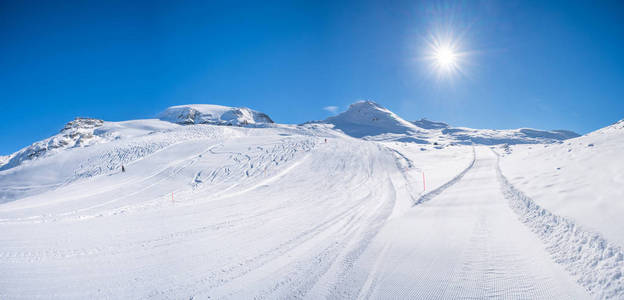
308,211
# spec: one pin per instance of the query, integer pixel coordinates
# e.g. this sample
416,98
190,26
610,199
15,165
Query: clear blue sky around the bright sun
540,64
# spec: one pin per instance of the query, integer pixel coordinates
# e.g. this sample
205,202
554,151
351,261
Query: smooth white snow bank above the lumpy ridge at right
581,178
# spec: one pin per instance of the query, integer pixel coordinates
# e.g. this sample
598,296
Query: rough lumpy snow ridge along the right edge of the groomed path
597,263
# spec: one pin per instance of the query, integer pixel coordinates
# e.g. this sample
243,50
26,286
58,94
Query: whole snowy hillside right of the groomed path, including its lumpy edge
571,194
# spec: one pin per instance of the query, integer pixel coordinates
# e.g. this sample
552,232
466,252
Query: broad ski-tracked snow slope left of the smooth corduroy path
260,212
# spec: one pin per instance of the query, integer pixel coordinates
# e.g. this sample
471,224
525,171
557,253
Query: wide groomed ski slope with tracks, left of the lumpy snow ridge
280,213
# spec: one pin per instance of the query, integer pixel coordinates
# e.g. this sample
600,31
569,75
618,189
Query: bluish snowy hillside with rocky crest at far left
71,155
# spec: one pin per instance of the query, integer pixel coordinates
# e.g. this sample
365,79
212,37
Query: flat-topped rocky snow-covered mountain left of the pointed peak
213,114
